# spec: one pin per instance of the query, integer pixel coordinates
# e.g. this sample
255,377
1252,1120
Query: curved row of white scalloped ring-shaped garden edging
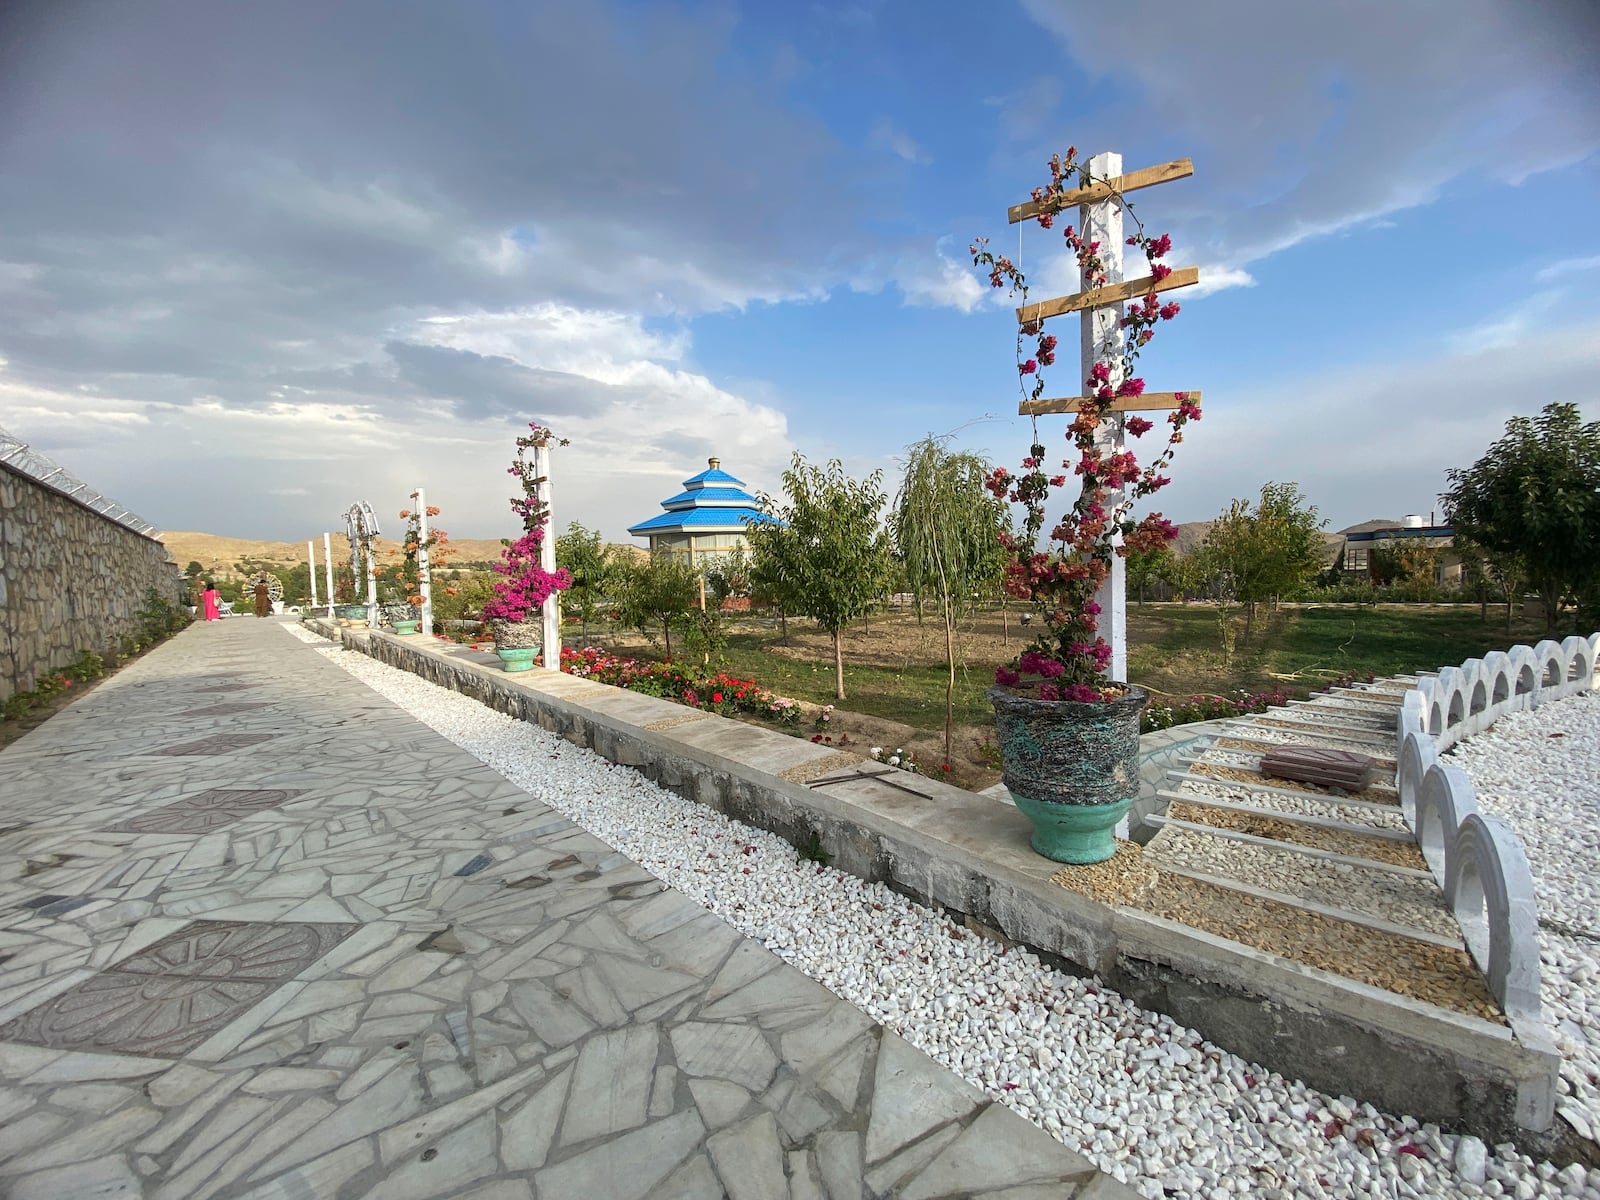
1479,860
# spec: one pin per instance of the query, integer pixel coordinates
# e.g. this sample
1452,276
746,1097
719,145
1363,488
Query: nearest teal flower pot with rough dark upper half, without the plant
1071,767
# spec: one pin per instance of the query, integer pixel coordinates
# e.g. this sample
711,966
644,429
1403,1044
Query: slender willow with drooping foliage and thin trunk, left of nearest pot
948,535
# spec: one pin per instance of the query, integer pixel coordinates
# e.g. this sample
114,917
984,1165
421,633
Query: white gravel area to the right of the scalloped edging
1542,772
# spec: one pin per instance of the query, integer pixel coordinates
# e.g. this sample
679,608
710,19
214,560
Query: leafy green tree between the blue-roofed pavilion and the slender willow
831,558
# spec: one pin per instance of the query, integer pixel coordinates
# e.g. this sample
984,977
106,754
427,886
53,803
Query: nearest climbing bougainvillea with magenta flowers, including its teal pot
1070,737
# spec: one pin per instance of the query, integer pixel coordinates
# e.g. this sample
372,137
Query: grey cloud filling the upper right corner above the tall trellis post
1318,119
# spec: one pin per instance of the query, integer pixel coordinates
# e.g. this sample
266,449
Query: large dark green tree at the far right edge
1537,497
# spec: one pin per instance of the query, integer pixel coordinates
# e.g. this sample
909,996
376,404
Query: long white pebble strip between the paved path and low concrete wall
1150,1102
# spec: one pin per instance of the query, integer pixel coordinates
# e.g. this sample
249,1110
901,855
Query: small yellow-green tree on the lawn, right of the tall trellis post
1266,553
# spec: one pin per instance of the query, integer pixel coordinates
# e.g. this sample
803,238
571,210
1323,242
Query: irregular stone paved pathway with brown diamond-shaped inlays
263,935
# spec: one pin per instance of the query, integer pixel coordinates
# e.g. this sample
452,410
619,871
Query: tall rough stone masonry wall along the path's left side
70,580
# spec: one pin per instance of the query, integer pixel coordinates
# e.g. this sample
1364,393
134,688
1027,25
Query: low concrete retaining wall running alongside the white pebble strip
969,855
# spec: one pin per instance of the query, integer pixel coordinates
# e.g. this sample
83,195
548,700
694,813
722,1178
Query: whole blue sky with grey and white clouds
263,260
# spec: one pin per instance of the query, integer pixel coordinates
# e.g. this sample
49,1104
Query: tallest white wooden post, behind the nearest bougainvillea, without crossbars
1102,343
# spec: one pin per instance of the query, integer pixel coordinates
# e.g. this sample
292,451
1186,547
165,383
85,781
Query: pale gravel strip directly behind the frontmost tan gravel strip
1394,898
